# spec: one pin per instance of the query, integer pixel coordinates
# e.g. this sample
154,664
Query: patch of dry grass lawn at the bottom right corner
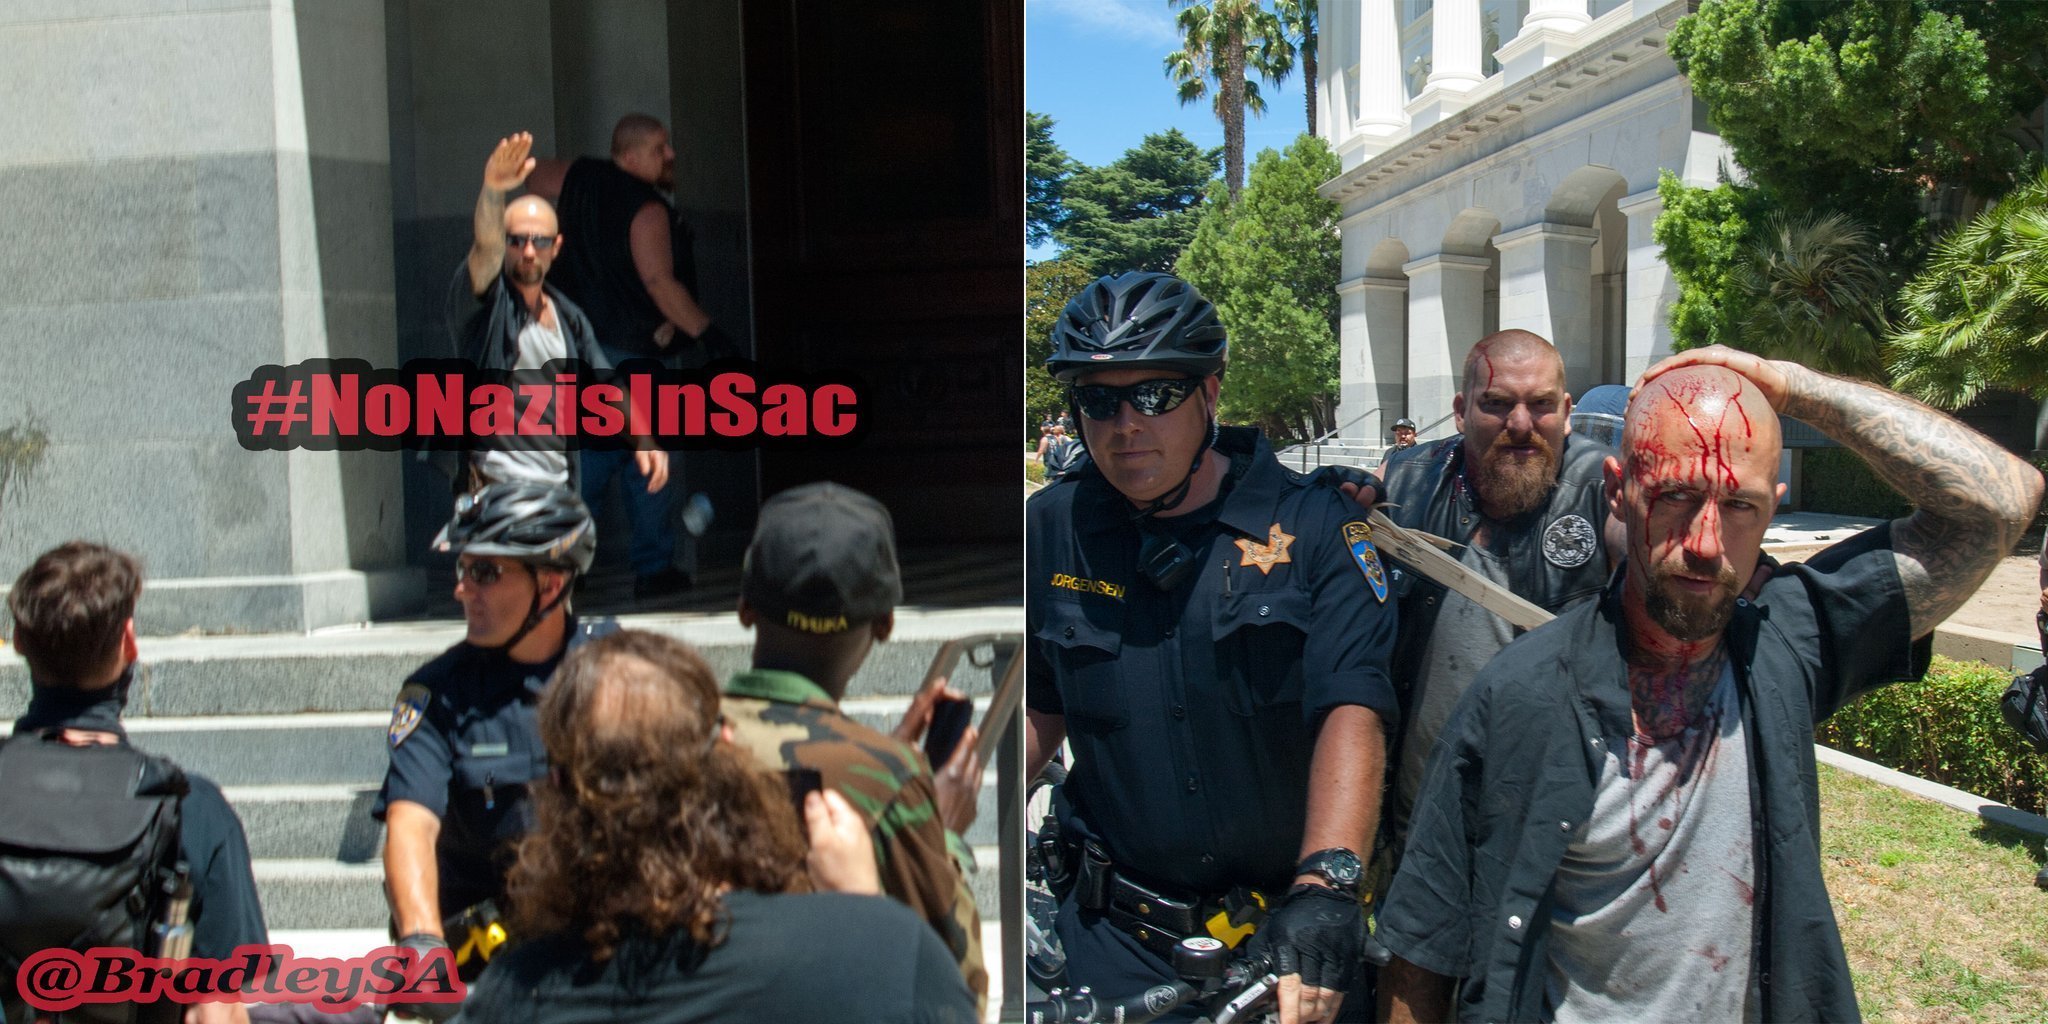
1938,910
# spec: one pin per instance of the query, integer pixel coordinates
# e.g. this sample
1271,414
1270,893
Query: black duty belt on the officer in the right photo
1154,916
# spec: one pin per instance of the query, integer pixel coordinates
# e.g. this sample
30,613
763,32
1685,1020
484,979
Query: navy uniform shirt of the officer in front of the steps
466,742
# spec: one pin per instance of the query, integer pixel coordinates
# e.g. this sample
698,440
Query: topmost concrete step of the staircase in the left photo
361,669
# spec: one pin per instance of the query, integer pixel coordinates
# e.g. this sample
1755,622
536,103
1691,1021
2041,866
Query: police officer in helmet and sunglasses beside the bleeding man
1211,634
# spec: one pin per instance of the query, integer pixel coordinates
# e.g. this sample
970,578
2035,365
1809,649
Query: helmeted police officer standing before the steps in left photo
464,734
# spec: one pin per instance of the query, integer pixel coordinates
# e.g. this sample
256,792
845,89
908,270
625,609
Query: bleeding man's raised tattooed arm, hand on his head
1975,499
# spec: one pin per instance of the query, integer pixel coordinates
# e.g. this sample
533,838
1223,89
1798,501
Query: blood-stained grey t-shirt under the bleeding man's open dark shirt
1654,914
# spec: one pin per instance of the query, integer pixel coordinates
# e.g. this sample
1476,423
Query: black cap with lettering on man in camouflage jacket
822,560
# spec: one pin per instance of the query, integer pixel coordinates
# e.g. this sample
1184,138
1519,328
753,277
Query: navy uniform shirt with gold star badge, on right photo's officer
1193,714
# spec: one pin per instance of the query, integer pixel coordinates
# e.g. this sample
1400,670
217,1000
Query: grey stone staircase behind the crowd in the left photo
294,730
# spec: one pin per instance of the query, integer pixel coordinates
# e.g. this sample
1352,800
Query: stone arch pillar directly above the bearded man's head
1547,288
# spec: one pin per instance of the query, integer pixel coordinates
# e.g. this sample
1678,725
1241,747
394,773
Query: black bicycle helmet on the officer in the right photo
1138,321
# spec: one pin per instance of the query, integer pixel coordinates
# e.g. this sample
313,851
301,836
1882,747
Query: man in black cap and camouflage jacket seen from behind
820,589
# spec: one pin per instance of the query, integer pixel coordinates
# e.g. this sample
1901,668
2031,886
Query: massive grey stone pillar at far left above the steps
210,191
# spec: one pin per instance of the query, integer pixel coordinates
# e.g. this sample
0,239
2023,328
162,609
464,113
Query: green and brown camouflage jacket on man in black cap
790,722
